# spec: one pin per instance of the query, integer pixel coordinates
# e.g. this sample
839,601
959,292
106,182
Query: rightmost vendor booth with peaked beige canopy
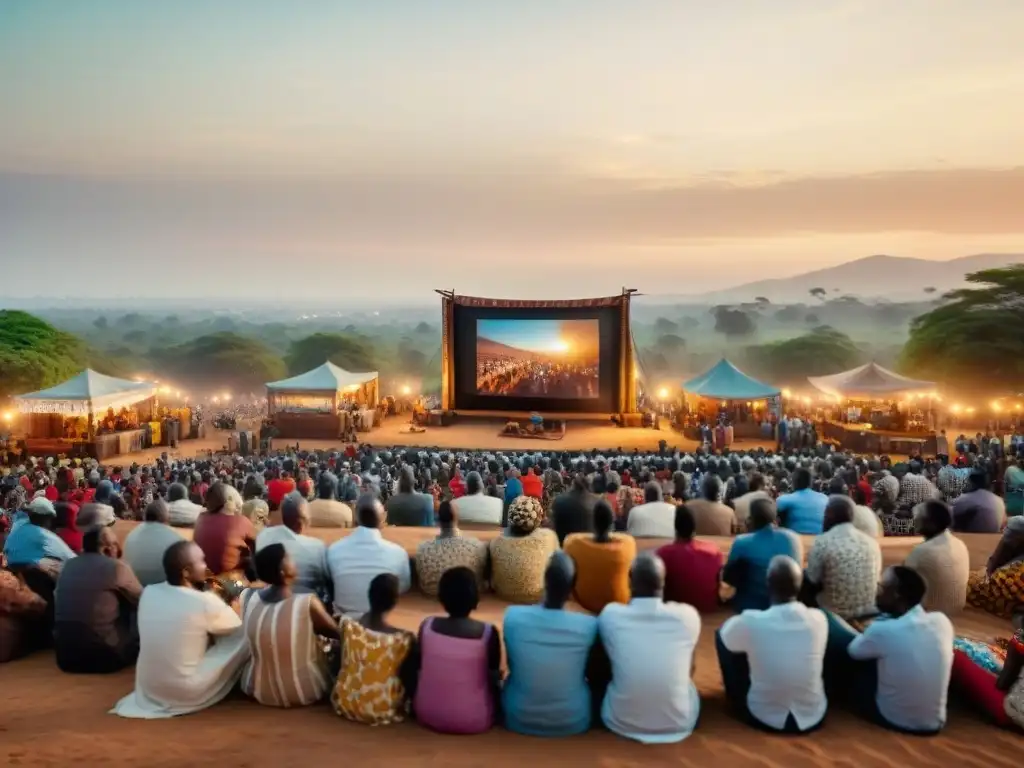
877,411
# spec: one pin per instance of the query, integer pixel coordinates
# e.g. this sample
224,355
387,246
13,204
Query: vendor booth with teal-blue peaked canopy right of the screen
724,396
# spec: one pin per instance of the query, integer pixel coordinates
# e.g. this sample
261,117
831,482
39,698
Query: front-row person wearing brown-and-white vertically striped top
287,666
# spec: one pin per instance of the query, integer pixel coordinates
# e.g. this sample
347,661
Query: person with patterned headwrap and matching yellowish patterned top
521,554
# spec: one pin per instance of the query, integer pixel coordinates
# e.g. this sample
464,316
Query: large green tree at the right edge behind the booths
975,333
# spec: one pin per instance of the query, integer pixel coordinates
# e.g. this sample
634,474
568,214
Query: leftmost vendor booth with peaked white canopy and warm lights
91,415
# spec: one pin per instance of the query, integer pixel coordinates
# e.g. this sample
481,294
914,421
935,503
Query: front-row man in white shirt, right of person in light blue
652,698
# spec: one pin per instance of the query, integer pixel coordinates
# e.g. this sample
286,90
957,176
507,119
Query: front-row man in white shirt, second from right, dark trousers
773,660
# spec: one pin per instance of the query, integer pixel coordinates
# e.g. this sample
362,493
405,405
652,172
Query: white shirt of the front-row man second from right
786,650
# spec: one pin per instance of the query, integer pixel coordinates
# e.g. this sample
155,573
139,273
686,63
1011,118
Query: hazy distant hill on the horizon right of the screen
892,278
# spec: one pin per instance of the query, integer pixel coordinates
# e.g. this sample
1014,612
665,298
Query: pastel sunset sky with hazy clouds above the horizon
329,149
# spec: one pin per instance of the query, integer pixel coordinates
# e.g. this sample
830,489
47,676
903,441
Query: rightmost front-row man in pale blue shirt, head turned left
901,669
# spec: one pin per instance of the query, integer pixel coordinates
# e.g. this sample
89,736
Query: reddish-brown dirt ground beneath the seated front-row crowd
53,719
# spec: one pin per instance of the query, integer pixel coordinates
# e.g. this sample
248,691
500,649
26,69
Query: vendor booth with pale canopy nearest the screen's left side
327,403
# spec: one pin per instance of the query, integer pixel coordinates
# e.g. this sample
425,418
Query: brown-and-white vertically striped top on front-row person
288,666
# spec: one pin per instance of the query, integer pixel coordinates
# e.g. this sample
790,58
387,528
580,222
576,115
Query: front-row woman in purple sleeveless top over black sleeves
460,662
